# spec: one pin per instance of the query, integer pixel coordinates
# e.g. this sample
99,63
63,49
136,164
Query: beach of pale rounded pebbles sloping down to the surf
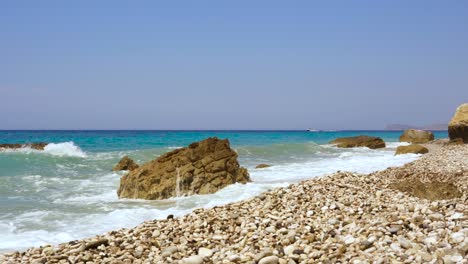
274,225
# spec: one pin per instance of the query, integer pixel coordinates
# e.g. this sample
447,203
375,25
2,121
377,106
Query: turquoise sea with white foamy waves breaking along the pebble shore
68,191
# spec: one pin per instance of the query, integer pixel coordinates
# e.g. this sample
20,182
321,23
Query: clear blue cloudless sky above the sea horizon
231,64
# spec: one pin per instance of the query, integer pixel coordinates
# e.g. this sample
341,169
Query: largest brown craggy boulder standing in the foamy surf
201,168
